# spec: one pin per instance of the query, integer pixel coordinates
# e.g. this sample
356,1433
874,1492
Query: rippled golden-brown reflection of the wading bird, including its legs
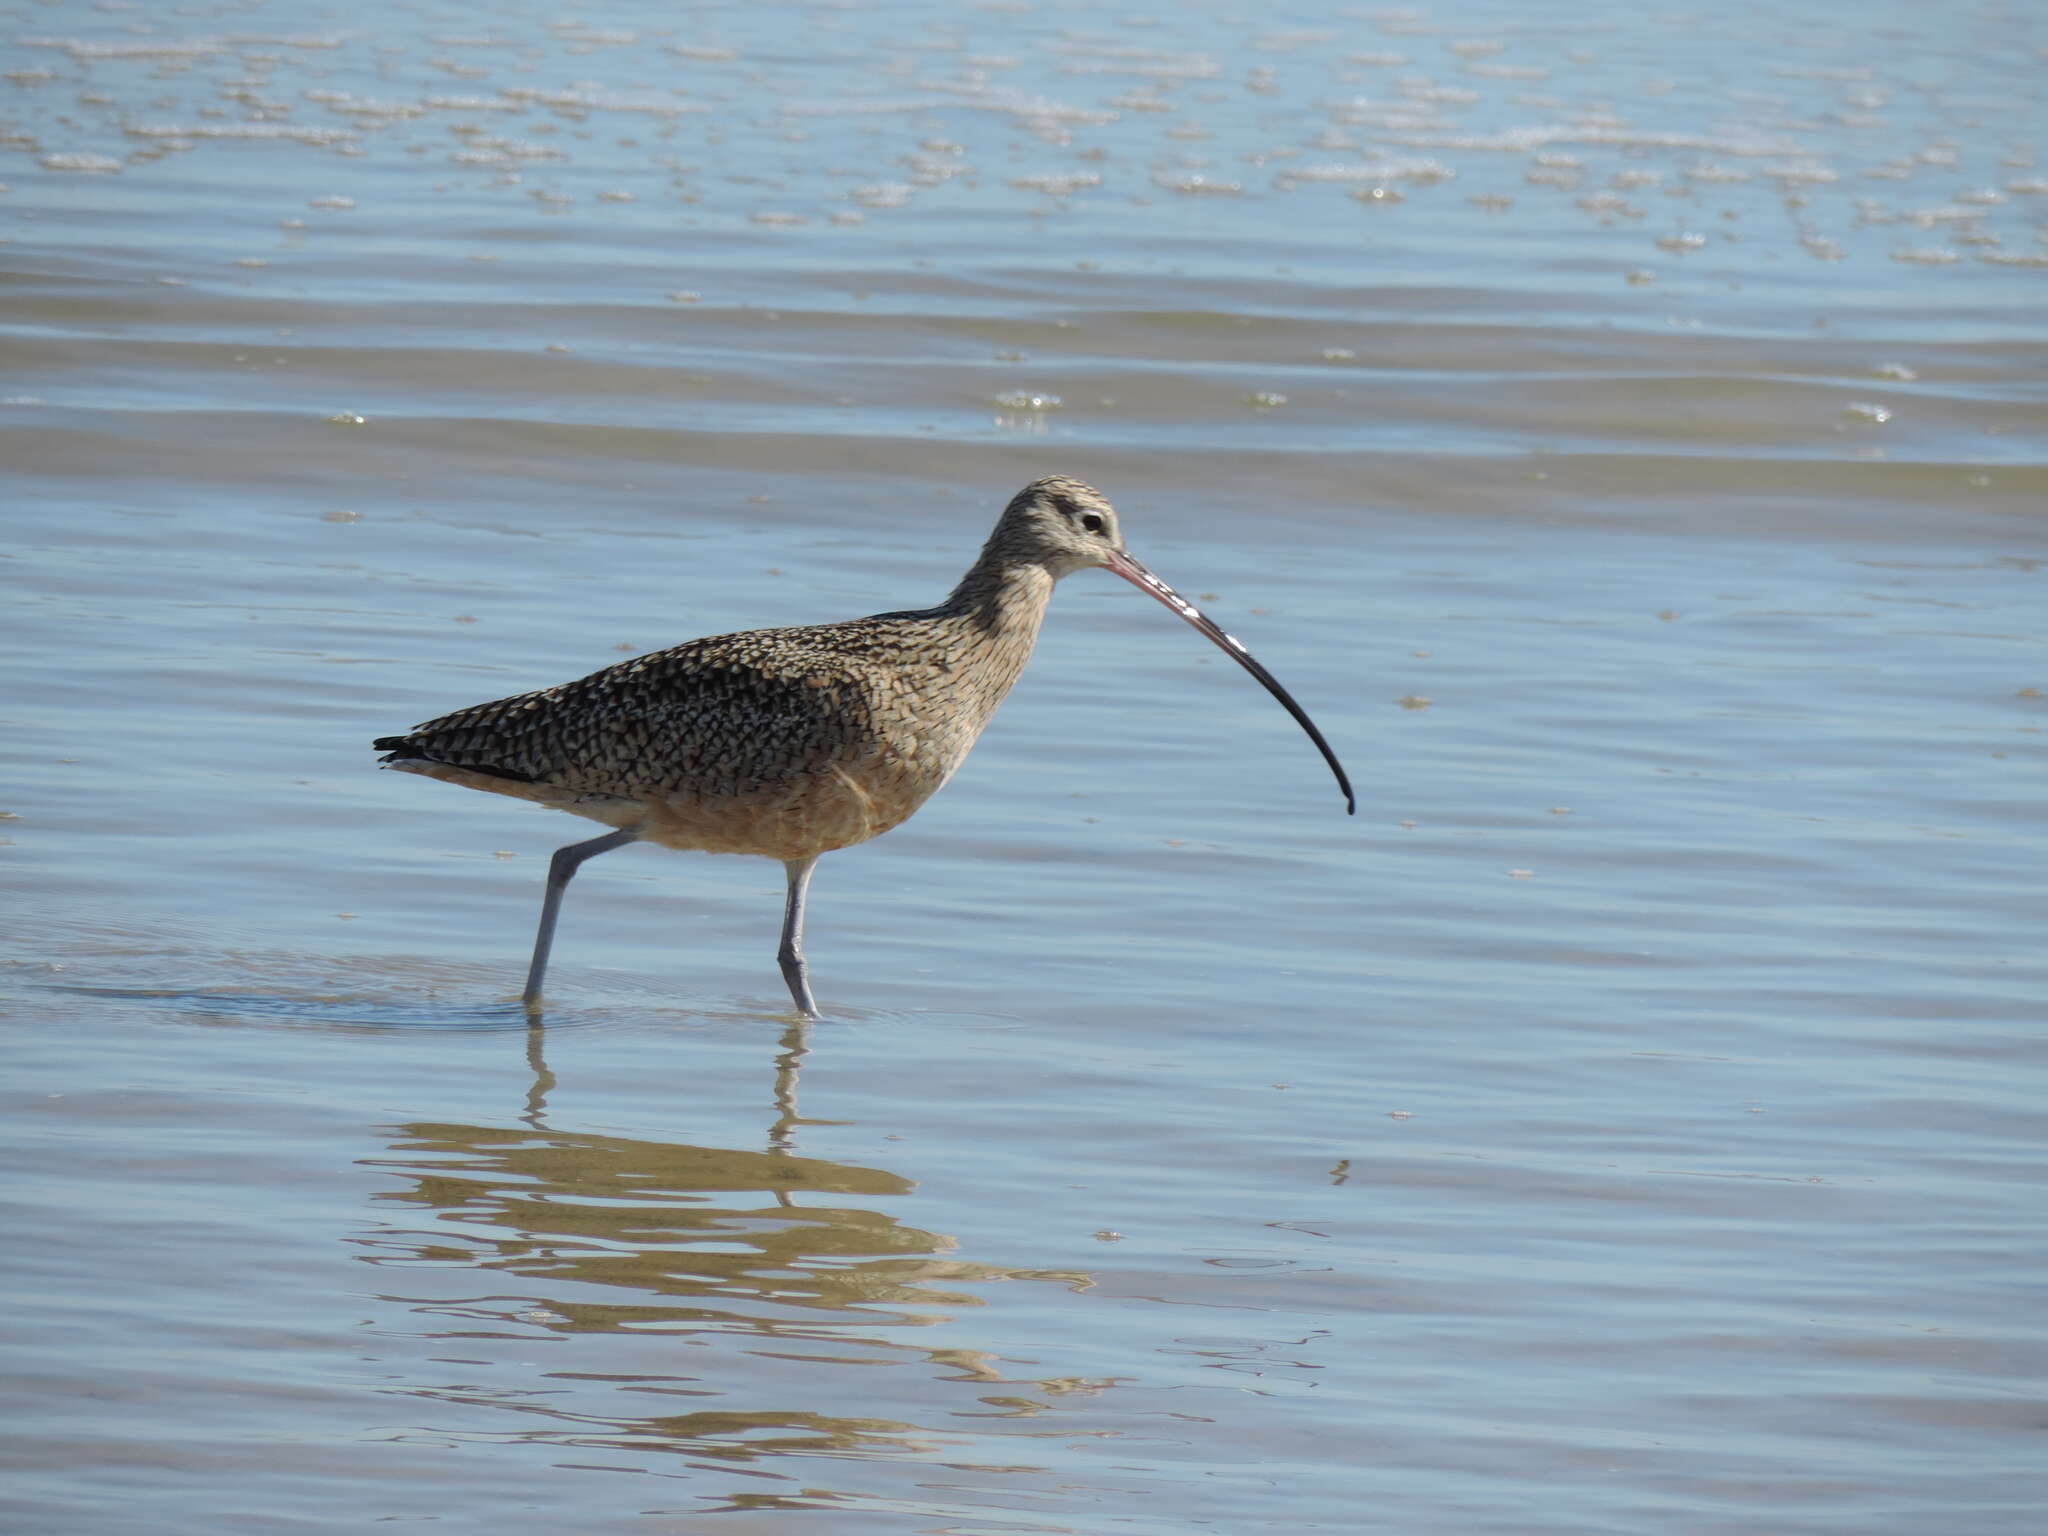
638,1254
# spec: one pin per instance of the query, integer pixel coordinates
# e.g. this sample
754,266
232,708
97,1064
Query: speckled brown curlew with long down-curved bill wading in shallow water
796,742
